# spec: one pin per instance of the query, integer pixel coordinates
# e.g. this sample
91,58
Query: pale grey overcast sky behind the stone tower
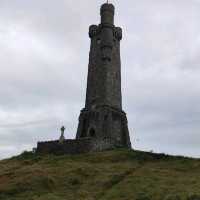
44,49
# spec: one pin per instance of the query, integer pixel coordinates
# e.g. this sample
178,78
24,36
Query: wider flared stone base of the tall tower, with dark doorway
104,123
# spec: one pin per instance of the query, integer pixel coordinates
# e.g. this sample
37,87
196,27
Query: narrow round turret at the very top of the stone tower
107,13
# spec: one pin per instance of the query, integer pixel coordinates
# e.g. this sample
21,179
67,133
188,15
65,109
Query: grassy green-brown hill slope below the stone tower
111,175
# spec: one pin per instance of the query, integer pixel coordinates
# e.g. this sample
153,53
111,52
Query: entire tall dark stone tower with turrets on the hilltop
103,117
